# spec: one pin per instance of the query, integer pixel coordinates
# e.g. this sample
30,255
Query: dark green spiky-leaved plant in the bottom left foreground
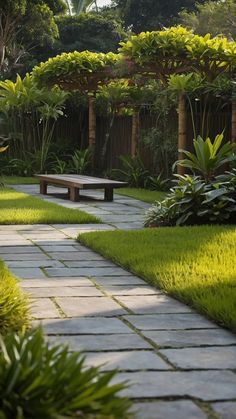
42,381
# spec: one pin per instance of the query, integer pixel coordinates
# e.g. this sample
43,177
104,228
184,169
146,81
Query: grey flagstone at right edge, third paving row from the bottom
203,358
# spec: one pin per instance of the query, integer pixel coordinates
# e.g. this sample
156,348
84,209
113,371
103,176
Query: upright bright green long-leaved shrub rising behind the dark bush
208,157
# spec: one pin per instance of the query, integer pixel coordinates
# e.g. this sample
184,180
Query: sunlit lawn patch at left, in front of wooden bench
20,208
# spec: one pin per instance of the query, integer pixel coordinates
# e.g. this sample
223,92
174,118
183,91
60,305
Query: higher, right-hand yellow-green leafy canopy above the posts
174,47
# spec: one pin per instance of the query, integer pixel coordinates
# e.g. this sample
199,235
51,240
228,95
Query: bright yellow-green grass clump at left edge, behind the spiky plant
13,303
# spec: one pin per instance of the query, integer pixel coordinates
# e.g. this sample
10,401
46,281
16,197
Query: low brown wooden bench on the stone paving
76,182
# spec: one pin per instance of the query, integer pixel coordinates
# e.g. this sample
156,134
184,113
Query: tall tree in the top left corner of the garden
26,23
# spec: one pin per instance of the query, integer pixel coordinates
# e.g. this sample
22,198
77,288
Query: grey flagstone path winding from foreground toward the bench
181,365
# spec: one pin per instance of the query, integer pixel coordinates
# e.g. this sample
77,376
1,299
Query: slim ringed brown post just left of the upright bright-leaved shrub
182,131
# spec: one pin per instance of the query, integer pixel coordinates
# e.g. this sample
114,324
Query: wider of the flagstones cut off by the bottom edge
180,409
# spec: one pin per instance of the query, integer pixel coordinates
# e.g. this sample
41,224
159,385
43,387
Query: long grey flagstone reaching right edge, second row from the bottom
203,385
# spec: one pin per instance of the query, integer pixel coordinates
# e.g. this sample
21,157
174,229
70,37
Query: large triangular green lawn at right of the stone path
194,264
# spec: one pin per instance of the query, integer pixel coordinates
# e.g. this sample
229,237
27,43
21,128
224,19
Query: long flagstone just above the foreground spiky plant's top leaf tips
86,325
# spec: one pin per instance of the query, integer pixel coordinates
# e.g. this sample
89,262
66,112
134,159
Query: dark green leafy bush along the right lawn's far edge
194,201
